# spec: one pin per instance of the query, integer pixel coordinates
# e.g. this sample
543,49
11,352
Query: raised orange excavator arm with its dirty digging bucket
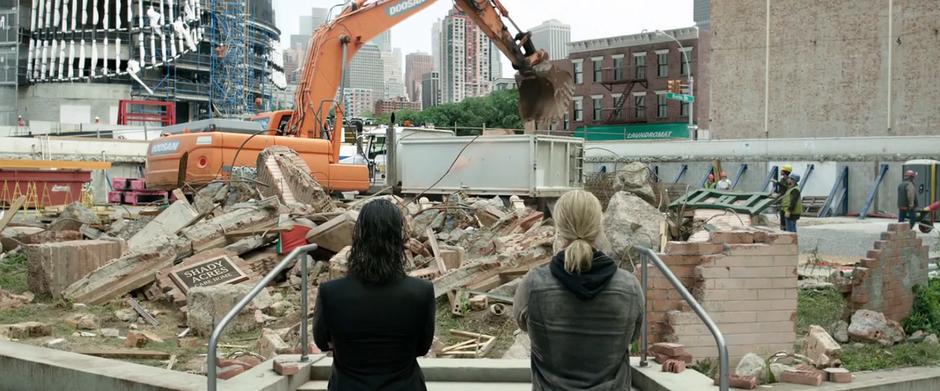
545,91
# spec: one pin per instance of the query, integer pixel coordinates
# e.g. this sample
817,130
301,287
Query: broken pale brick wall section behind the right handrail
744,279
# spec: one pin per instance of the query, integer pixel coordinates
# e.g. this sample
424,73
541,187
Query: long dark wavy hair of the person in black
378,247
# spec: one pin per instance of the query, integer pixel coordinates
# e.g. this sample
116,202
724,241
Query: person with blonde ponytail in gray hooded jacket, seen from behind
581,311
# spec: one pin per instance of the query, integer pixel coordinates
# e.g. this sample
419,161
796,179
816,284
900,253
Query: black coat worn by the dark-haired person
376,332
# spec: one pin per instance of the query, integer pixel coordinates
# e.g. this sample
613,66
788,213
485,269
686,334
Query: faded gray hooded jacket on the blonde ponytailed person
579,343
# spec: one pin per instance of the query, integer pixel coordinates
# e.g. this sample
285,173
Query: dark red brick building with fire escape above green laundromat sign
621,85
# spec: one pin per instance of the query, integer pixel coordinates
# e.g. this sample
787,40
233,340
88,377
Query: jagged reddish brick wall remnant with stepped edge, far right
885,279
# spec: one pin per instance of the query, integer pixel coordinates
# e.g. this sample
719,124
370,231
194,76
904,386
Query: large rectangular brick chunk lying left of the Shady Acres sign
51,267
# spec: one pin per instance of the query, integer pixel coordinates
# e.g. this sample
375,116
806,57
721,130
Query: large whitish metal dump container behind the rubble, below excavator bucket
523,165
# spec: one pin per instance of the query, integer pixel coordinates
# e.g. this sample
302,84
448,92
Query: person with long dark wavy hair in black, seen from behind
376,320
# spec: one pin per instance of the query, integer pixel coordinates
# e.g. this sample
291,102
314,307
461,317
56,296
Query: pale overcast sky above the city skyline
588,18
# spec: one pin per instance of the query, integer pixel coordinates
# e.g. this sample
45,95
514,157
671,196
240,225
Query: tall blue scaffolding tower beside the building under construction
229,73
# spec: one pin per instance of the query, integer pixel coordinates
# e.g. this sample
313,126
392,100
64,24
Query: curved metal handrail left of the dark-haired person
217,332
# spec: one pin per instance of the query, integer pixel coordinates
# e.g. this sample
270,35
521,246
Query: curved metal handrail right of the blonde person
723,380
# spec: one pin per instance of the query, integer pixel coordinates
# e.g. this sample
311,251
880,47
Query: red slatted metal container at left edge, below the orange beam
43,187
